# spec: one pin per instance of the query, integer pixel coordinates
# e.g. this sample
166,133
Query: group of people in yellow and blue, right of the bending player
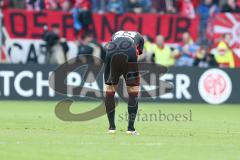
189,53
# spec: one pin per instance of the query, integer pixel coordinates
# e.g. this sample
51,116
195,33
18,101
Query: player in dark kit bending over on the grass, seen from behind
124,48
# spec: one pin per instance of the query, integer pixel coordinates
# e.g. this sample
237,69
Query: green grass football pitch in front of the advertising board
31,131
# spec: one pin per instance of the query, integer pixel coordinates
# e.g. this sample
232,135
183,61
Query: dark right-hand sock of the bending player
132,111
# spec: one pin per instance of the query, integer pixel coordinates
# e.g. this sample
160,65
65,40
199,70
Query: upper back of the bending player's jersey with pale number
135,36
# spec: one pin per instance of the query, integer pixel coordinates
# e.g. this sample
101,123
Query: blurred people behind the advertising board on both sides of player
188,53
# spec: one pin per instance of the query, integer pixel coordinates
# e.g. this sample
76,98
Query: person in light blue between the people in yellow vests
187,51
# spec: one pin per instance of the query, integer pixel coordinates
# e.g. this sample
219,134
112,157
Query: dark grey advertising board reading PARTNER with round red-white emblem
30,82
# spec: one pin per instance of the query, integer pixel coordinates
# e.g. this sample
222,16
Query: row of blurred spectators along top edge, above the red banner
185,7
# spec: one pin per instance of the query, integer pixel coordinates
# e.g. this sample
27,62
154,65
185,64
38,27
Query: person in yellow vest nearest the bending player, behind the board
163,54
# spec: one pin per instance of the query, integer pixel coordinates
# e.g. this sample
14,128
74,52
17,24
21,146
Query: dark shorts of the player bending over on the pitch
119,53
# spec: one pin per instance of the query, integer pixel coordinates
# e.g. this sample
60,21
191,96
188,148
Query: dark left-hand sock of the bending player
110,109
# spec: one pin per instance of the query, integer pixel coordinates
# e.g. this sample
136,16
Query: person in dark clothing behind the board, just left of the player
88,47
